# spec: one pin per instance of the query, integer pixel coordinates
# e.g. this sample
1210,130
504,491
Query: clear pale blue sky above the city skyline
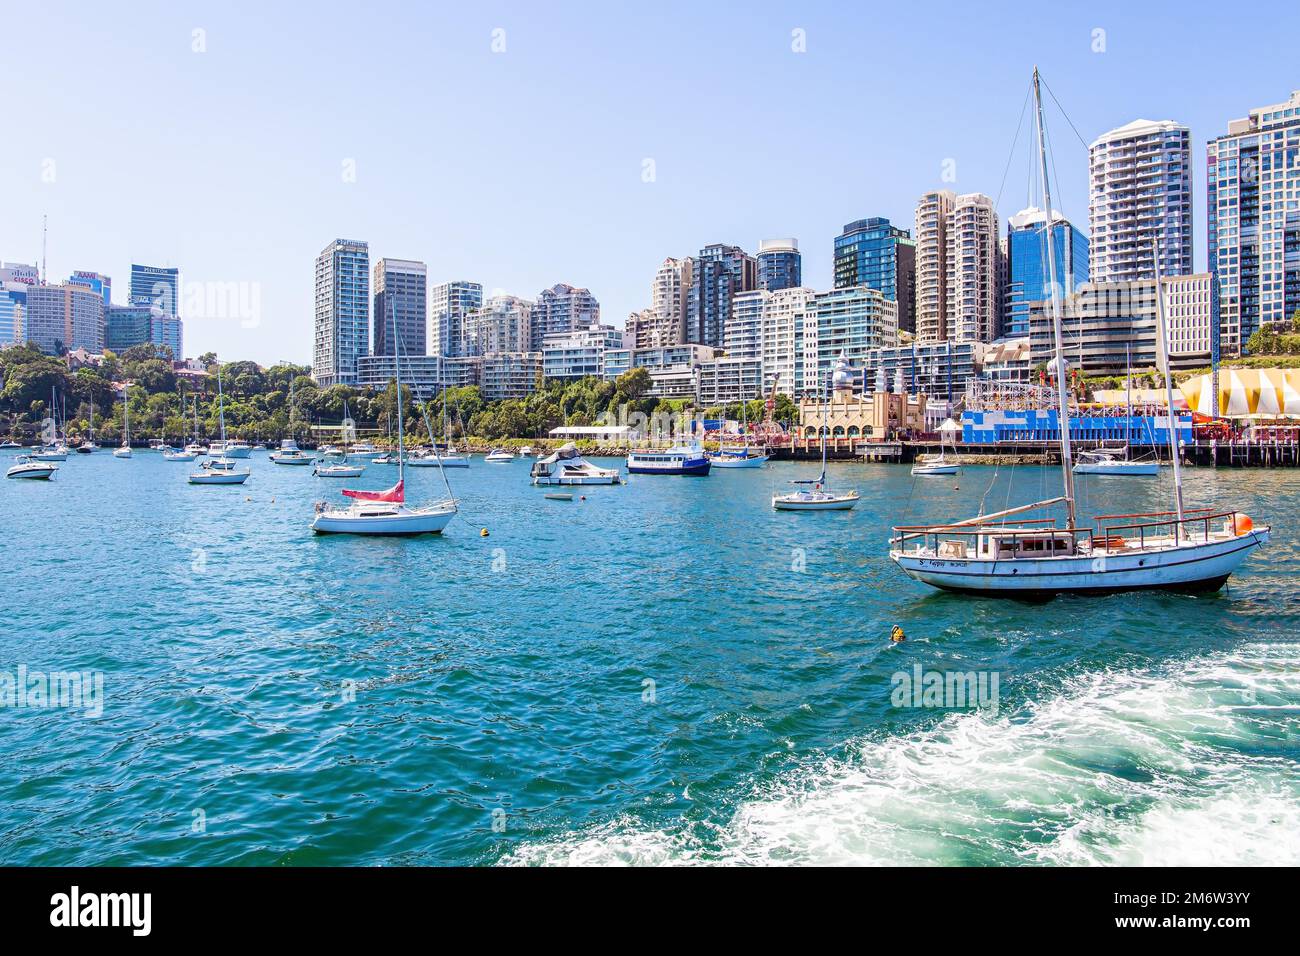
525,168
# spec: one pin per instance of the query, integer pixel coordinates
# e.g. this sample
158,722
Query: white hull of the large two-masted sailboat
1189,568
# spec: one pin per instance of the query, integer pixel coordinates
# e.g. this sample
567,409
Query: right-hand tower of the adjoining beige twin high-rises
974,299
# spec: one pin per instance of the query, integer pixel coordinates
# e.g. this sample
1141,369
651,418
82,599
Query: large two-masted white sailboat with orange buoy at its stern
1032,559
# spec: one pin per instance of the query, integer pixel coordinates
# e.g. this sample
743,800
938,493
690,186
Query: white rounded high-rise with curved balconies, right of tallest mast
1141,196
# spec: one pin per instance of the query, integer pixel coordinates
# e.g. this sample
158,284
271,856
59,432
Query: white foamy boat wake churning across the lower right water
1191,764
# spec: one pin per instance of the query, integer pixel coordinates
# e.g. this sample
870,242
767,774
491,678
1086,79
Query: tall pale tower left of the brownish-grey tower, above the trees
343,315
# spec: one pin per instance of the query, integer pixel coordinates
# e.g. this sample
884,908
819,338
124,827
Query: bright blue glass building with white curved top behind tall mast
1026,266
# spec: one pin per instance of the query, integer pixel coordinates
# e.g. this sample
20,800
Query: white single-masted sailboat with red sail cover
387,513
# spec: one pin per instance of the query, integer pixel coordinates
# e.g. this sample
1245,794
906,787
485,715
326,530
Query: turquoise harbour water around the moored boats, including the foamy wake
274,698
